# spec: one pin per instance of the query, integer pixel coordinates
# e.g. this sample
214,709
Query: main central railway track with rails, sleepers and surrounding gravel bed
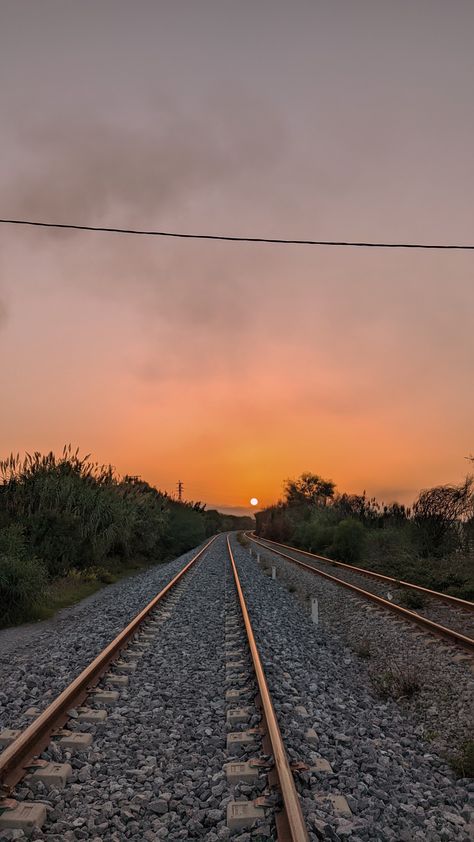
213,714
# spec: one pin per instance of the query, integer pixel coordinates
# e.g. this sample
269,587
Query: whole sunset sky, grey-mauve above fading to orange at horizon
228,366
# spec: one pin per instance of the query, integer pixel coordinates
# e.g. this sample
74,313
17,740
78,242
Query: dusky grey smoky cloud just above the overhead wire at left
86,170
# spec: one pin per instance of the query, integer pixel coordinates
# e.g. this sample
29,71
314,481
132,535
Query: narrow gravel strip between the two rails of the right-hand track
458,619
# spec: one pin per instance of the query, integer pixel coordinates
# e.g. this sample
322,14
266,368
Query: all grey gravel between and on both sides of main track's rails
155,769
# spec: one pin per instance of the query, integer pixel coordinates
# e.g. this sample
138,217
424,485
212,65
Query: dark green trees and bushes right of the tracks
416,540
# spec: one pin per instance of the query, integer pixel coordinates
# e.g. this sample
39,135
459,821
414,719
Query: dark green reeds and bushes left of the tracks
68,516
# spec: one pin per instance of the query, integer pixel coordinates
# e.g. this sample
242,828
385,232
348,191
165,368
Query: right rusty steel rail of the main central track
291,801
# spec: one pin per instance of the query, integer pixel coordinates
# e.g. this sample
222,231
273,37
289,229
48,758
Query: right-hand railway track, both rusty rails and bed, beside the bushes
454,611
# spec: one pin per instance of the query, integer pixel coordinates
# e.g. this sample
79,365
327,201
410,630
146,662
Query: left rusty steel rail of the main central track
35,738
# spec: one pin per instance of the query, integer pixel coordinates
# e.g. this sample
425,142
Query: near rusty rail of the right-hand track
428,625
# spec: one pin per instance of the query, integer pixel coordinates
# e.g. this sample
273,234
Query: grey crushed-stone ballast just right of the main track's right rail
395,786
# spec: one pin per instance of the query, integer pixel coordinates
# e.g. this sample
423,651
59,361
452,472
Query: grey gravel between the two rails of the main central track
155,769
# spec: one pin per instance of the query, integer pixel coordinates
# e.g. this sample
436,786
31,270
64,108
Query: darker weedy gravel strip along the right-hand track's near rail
393,649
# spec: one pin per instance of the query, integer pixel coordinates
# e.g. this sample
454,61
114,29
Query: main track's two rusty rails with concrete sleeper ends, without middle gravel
115,667
